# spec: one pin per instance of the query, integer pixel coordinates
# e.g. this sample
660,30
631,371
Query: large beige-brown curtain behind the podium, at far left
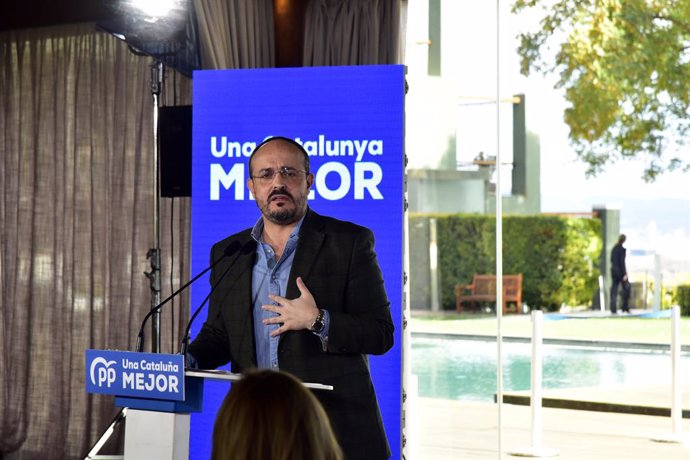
76,170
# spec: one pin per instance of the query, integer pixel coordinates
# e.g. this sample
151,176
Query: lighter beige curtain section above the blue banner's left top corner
235,34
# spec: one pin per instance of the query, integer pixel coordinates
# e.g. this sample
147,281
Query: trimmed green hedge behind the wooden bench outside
558,256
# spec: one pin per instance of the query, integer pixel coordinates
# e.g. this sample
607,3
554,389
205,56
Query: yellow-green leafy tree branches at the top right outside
625,68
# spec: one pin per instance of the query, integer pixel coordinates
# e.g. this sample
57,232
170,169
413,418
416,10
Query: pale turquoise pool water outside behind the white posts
466,369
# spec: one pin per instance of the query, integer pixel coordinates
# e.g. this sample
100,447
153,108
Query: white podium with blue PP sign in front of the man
157,395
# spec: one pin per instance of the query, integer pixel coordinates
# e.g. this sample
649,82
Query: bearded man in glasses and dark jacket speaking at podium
305,295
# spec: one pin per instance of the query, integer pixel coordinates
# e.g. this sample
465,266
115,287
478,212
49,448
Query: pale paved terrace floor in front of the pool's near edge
468,430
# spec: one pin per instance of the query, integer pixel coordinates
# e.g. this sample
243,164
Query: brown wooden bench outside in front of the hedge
483,289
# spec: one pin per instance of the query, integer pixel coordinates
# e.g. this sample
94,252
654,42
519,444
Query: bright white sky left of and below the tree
654,216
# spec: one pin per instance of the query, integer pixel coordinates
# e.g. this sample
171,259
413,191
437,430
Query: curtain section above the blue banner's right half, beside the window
352,32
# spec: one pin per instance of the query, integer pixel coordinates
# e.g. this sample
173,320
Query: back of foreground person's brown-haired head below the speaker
271,415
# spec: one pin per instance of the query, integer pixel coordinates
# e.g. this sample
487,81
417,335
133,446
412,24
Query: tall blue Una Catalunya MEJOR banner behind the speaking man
351,122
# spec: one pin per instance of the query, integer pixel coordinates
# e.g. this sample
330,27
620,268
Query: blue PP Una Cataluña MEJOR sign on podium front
138,375
